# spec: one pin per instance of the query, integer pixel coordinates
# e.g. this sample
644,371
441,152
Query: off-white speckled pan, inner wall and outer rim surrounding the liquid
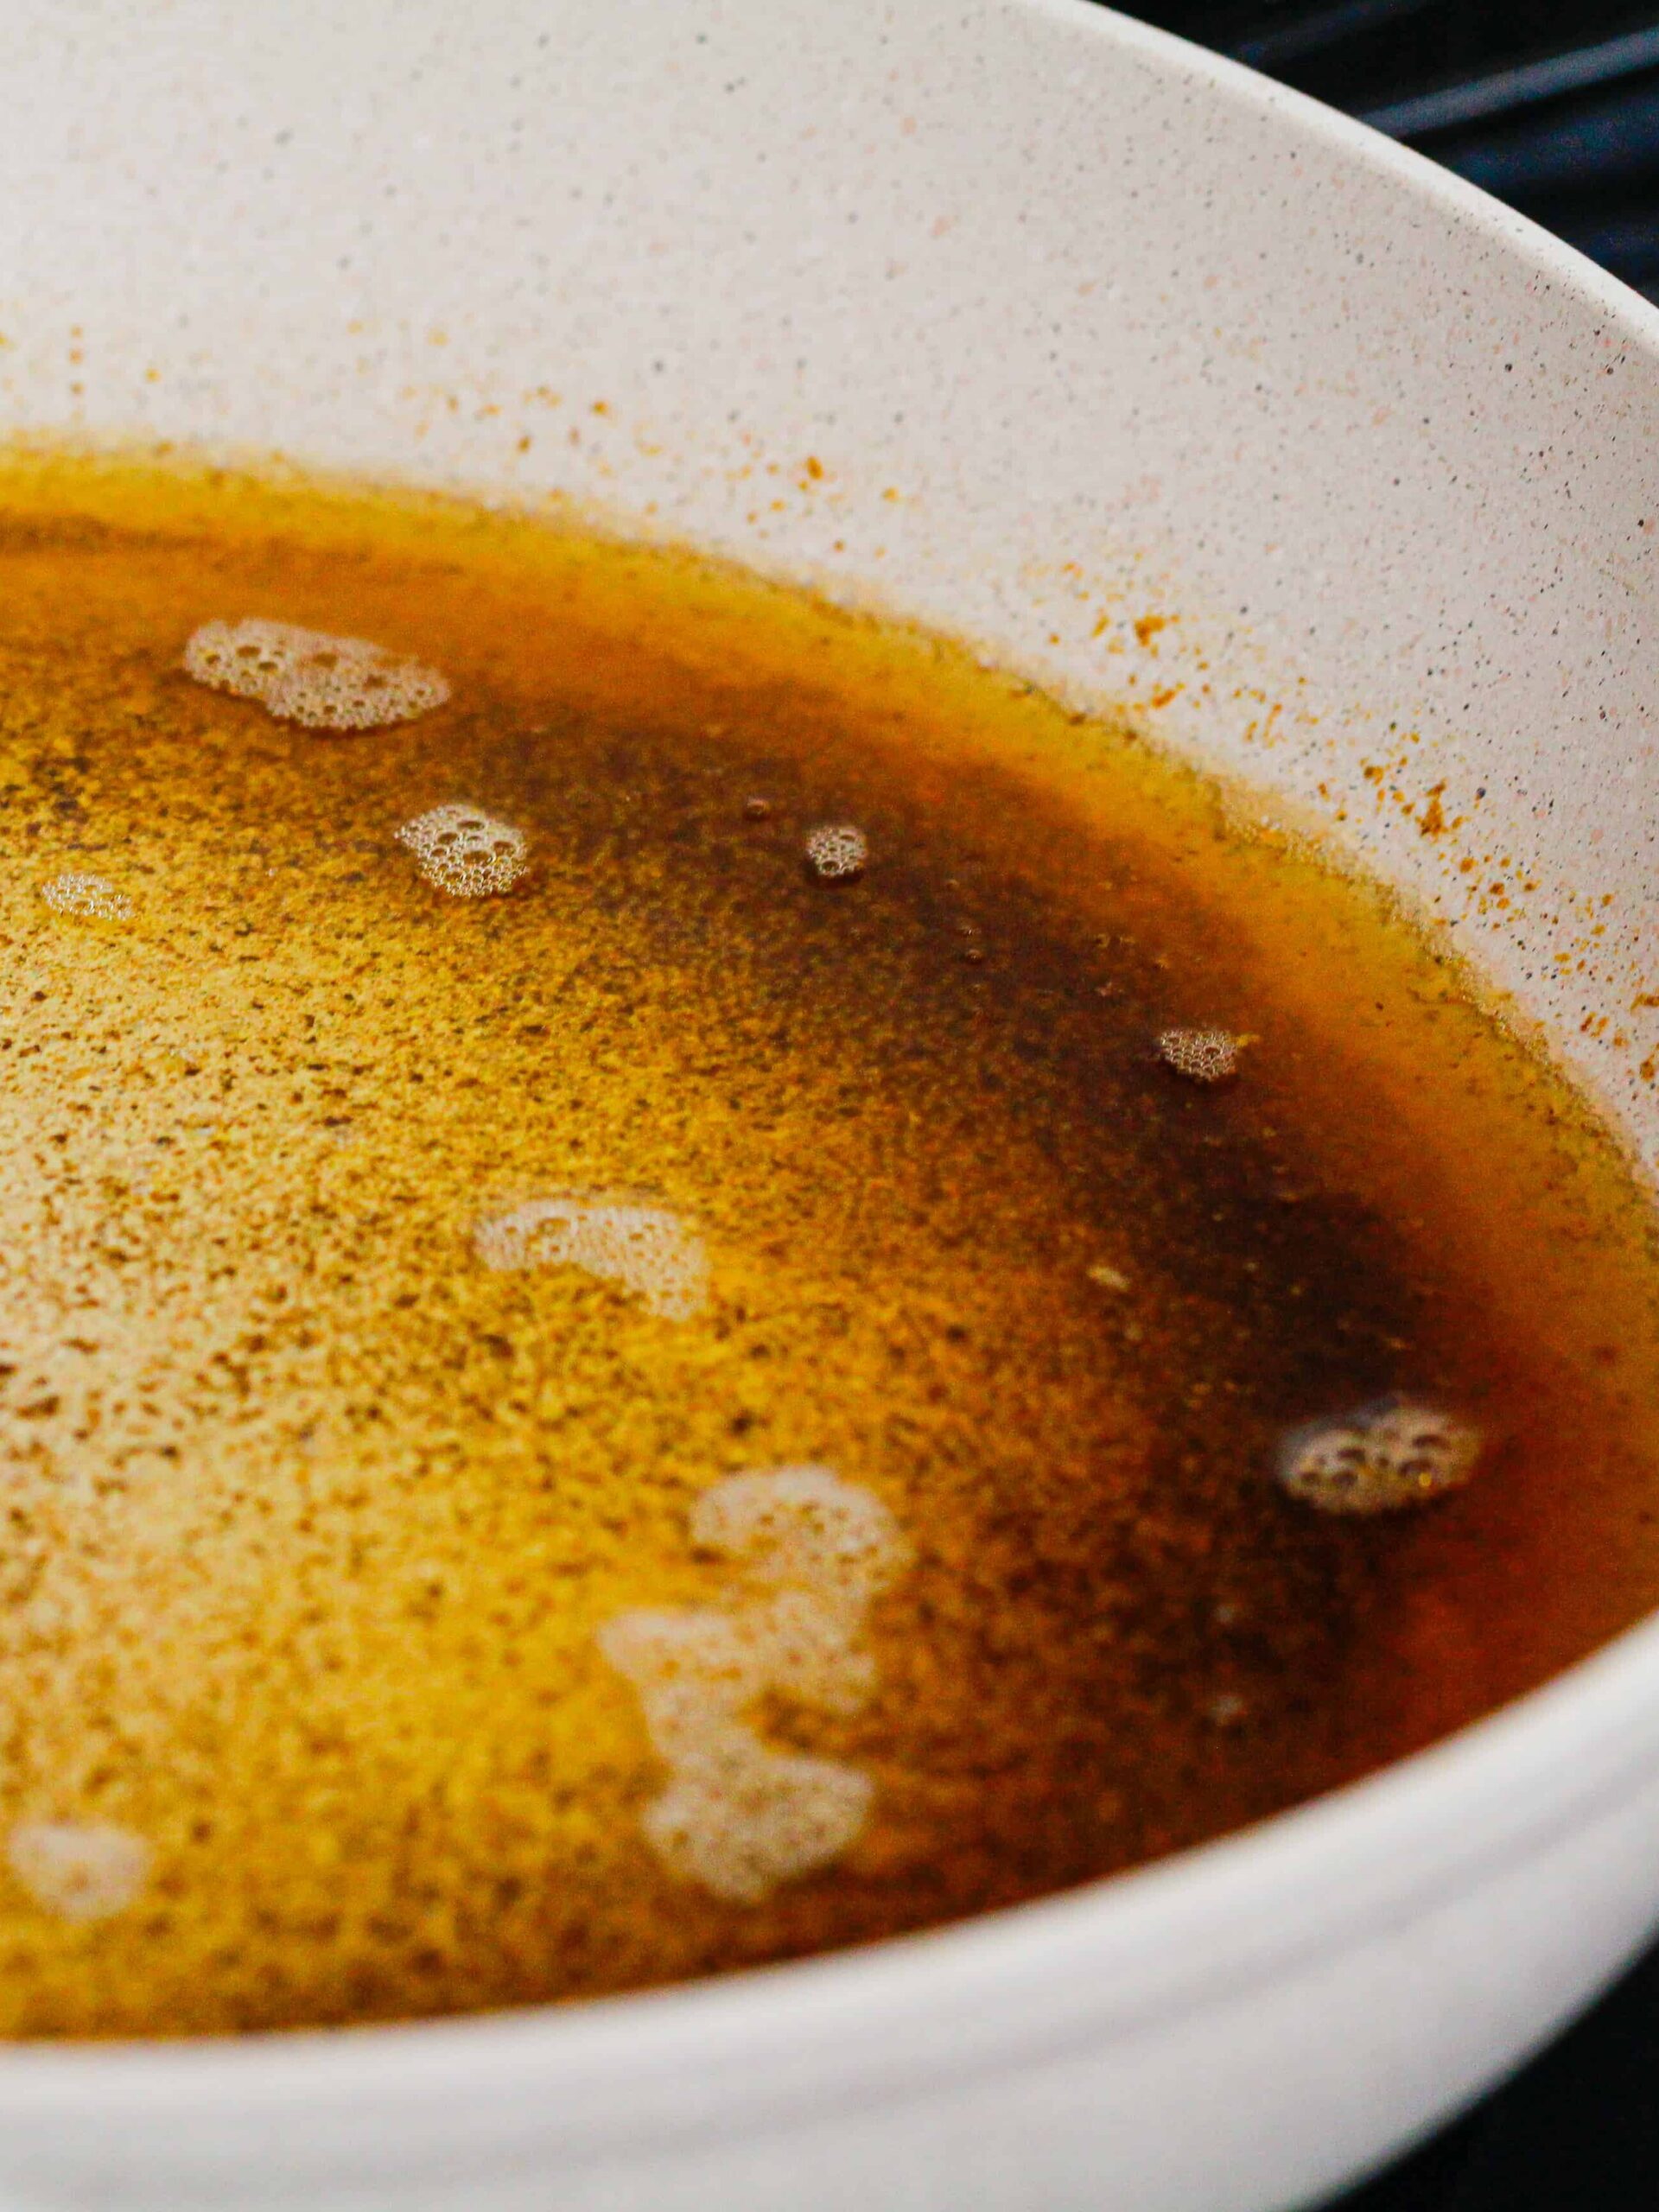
1074,326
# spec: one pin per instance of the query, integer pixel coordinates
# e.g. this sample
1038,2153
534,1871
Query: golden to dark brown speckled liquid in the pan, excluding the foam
313,1521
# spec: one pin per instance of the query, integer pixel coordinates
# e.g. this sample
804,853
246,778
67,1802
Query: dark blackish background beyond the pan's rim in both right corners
1552,105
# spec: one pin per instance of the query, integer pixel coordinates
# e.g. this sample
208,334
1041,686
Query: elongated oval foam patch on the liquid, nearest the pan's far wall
311,678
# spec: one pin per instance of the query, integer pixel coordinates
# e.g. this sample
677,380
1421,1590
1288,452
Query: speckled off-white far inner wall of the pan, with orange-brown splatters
1067,333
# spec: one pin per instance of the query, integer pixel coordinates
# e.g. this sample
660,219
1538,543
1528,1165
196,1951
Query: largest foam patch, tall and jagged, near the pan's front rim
811,1552
